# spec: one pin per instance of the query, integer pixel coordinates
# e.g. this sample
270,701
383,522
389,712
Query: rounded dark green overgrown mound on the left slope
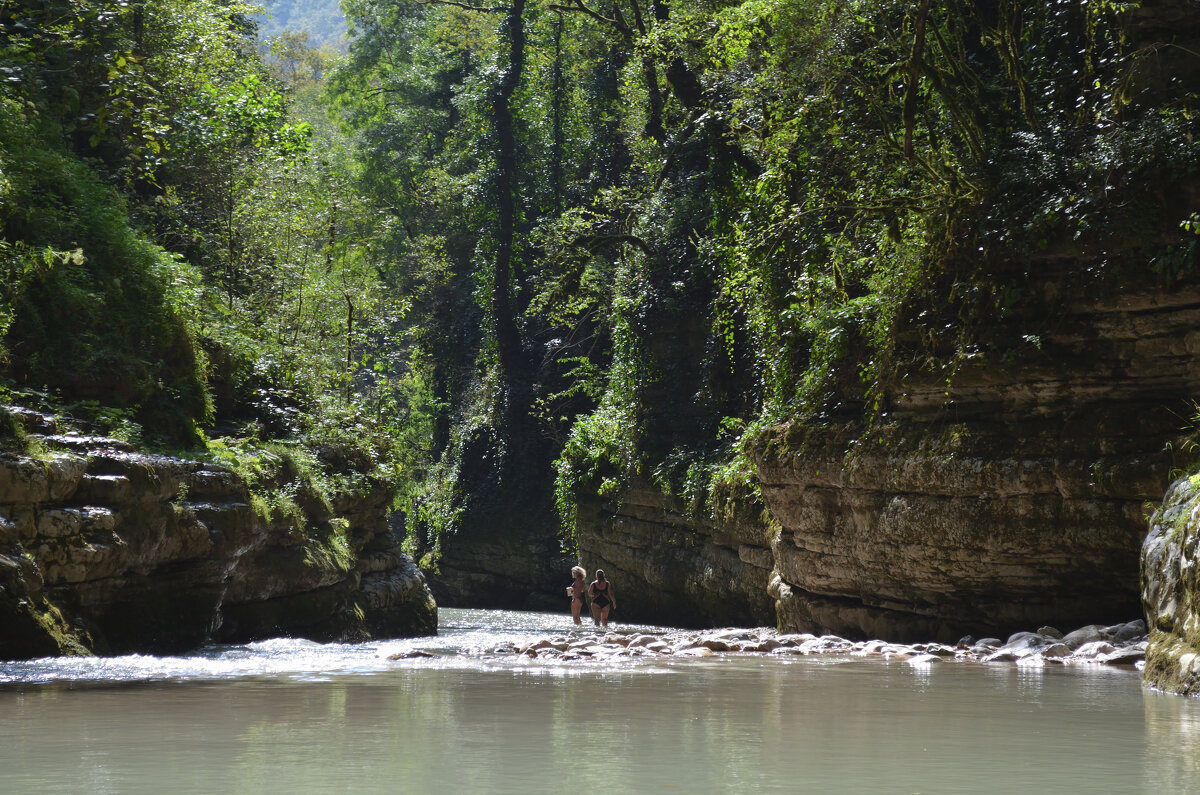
83,309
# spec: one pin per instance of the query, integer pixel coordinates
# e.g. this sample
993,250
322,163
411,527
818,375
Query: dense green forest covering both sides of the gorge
507,256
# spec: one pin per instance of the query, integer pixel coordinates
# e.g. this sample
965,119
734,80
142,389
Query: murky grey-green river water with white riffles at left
290,716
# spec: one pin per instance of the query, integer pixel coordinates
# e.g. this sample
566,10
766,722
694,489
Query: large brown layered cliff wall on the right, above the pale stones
1004,495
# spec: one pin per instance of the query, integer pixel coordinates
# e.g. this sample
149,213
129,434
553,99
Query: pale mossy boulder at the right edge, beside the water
1171,591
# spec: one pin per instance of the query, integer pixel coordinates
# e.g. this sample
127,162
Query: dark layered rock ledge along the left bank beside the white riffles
104,549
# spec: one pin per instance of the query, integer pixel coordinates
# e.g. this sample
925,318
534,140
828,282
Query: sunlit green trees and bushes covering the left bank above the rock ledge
181,250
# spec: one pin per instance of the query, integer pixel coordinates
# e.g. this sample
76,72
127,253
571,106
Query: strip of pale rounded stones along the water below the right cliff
1124,644
